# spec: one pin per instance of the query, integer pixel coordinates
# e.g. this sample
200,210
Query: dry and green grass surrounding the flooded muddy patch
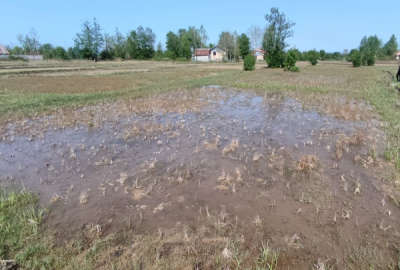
34,90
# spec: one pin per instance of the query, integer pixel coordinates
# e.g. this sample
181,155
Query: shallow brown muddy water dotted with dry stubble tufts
265,161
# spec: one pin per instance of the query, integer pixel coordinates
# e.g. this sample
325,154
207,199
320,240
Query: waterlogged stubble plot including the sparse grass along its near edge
212,177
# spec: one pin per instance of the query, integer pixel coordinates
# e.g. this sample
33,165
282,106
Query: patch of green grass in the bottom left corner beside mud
20,218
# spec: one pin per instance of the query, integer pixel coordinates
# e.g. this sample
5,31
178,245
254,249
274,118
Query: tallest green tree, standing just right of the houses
278,30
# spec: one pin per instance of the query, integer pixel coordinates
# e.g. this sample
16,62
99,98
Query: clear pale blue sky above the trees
329,25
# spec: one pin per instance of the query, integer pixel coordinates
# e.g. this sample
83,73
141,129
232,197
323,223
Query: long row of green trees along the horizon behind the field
92,43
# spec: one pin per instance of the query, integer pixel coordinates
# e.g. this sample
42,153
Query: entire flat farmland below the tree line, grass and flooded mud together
163,165
